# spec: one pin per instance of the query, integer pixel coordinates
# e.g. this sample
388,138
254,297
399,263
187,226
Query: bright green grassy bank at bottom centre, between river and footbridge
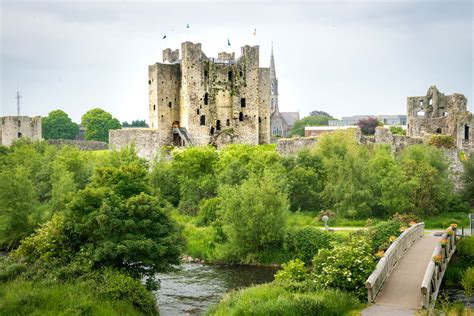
271,299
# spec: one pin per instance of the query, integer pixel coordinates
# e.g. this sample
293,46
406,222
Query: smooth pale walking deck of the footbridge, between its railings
402,289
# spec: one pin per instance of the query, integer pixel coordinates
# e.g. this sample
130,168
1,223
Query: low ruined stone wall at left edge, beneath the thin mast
15,127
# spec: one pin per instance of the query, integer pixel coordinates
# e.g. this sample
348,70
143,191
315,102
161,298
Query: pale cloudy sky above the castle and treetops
343,57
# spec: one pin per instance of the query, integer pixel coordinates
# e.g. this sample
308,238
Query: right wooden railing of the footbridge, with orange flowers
437,266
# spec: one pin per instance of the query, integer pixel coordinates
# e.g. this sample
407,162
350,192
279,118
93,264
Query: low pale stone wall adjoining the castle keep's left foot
147,141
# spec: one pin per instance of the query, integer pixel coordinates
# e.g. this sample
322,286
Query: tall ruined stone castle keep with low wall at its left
199,100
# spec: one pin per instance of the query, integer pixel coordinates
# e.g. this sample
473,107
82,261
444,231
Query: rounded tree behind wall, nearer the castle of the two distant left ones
97,123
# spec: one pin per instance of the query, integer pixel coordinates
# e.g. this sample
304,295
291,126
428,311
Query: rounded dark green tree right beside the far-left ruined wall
58,125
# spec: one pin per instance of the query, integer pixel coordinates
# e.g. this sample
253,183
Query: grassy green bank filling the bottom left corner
22,297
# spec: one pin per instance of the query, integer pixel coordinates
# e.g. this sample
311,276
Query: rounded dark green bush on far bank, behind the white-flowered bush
305,242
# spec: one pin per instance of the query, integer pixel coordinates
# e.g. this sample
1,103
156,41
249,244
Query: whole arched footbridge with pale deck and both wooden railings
408,277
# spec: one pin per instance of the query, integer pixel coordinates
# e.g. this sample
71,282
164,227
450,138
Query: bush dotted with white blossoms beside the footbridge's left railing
345,267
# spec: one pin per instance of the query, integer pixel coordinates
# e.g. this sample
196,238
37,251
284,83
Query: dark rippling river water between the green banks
193,288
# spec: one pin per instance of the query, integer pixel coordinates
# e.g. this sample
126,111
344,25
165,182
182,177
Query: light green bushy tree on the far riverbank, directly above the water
255,214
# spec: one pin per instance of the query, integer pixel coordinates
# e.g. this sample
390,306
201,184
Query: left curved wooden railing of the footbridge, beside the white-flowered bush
392,255
